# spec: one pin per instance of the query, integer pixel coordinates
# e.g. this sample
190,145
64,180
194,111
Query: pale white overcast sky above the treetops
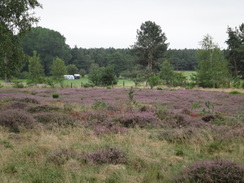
113,23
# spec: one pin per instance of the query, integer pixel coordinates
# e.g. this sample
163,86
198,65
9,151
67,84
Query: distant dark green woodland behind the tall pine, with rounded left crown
50,44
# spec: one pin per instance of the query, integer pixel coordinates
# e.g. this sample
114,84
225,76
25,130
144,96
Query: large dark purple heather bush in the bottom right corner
220,171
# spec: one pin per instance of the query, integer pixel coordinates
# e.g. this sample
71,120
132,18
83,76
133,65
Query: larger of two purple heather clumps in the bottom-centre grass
107,155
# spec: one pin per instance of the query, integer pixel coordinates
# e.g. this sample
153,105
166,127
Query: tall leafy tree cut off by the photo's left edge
16,17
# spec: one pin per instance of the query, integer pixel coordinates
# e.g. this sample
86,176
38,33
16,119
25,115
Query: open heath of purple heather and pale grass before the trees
118,135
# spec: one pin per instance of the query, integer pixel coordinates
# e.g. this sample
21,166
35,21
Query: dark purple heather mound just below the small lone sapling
139,119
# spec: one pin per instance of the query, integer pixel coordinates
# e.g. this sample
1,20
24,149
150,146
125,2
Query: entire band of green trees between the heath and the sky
148,59
